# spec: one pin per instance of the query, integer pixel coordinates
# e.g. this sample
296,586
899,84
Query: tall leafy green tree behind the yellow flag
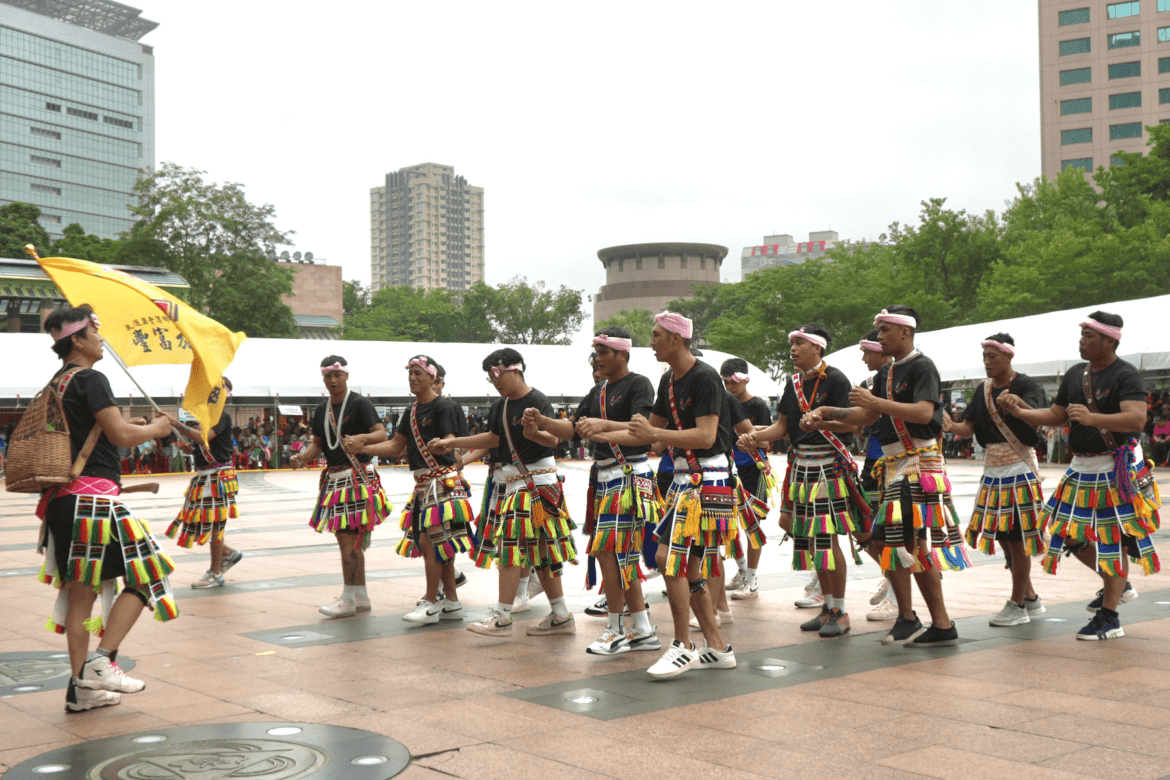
218,241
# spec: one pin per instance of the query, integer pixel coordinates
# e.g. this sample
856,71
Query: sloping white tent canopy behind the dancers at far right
1045,344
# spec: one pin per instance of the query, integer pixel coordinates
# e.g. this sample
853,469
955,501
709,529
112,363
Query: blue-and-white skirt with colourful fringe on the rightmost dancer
1093,503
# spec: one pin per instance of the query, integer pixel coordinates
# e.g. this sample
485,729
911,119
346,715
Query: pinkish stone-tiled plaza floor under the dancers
1023,702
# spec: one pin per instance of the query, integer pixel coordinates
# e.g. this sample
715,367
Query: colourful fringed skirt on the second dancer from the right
1009,503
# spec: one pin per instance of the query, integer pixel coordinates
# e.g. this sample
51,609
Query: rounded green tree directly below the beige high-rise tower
403,314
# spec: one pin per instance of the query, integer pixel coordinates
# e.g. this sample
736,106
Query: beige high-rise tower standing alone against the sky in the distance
426,231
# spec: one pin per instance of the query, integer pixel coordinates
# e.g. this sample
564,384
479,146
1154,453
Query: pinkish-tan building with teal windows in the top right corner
1105,75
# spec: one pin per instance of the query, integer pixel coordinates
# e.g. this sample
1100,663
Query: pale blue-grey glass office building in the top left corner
77,111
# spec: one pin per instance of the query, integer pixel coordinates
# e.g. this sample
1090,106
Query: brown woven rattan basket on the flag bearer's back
39,455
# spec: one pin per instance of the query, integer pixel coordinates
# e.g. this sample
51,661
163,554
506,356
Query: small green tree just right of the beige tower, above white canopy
519,313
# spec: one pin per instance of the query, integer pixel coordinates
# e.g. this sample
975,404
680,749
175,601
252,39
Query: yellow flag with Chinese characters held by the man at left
147,326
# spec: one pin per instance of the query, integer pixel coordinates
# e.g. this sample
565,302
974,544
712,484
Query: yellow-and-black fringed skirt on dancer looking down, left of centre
534,524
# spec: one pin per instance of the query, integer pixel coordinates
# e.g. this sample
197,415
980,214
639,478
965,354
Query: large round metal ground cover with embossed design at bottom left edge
257,751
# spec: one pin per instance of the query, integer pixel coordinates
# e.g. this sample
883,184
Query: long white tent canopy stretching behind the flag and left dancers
290,370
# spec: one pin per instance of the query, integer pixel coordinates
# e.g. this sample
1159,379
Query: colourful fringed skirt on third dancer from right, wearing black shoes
917,520
